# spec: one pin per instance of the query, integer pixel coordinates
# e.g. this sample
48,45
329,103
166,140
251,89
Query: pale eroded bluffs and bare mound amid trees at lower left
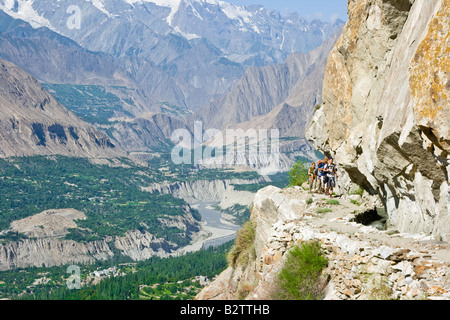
43,241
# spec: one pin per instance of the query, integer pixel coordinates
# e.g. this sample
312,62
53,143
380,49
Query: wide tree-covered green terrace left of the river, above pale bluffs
111,197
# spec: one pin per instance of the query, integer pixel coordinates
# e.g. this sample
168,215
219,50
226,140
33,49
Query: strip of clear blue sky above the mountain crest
325,10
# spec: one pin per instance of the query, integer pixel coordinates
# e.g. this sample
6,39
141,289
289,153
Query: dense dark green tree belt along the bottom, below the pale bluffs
209,263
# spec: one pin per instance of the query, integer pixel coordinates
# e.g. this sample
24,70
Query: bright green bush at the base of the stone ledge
301,276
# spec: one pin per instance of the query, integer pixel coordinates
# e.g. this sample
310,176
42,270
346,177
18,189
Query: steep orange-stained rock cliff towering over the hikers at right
385,116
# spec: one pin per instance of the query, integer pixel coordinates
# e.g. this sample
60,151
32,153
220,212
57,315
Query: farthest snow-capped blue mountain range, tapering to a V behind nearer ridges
184,51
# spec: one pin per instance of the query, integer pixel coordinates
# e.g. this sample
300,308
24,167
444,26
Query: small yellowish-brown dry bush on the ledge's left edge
243,249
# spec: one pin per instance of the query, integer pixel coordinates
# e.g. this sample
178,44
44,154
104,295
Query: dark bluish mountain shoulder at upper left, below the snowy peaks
61,60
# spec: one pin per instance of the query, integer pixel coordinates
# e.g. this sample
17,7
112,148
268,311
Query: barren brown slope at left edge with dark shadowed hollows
32,122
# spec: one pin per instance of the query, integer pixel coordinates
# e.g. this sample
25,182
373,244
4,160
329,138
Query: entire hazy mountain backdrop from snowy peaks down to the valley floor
138,70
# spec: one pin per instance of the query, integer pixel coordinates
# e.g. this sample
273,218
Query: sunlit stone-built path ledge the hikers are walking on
364,262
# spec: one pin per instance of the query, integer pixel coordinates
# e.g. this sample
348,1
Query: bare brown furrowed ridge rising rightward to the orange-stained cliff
297,82
